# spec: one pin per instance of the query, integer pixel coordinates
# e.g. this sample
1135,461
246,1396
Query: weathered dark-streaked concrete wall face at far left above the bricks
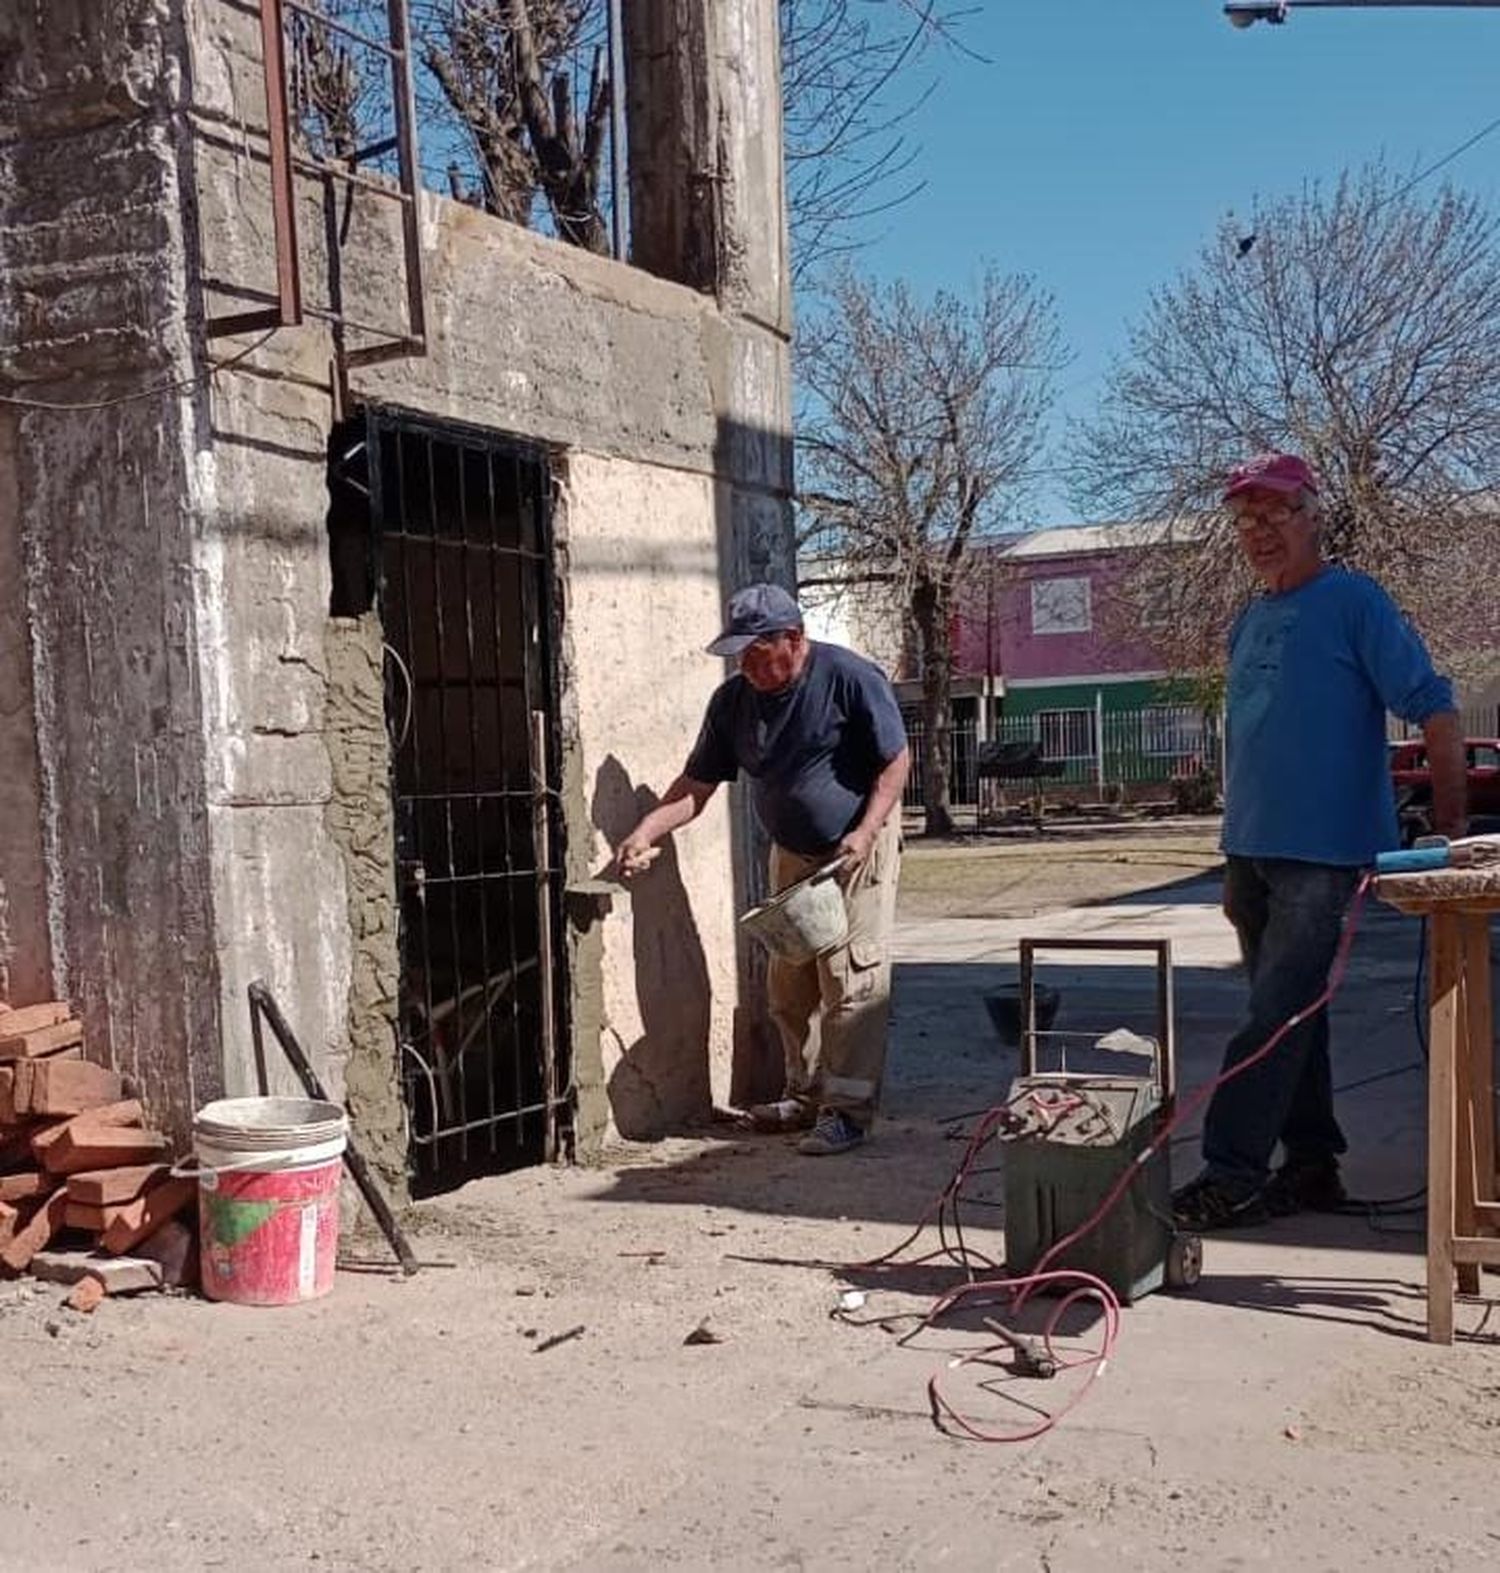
105,852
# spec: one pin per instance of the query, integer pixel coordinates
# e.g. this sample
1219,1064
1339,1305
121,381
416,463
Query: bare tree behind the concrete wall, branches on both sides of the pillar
515,106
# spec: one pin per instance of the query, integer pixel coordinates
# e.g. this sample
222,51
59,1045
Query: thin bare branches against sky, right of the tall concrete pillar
853,76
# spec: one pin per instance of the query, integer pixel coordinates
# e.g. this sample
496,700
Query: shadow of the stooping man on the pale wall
663,1078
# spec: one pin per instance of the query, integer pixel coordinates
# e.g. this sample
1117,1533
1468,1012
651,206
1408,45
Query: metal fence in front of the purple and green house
1095,756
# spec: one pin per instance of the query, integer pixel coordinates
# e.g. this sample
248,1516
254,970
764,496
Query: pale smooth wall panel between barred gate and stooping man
644,581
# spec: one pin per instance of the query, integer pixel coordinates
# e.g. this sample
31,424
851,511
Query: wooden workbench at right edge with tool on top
1463,1201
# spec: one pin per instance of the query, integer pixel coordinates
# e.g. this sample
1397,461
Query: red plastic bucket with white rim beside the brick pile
268,1198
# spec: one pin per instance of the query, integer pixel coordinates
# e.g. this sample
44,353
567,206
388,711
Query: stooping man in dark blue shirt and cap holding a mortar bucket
820,734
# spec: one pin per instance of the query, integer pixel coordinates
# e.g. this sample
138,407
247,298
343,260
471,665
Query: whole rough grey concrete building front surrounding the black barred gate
200,784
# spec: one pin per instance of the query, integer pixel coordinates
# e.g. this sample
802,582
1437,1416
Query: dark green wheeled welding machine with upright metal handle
1072,1135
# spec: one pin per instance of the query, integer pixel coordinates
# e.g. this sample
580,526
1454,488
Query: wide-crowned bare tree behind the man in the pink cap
1356,325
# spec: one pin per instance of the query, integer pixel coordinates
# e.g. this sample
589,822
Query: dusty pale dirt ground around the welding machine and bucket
534,1402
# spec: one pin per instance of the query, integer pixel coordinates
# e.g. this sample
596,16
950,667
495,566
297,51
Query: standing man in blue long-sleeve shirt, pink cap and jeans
1315,665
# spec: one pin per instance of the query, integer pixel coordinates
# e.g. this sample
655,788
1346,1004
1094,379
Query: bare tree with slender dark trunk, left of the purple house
922,419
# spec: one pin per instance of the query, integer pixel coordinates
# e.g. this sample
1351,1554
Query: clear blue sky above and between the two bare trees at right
1105,139
